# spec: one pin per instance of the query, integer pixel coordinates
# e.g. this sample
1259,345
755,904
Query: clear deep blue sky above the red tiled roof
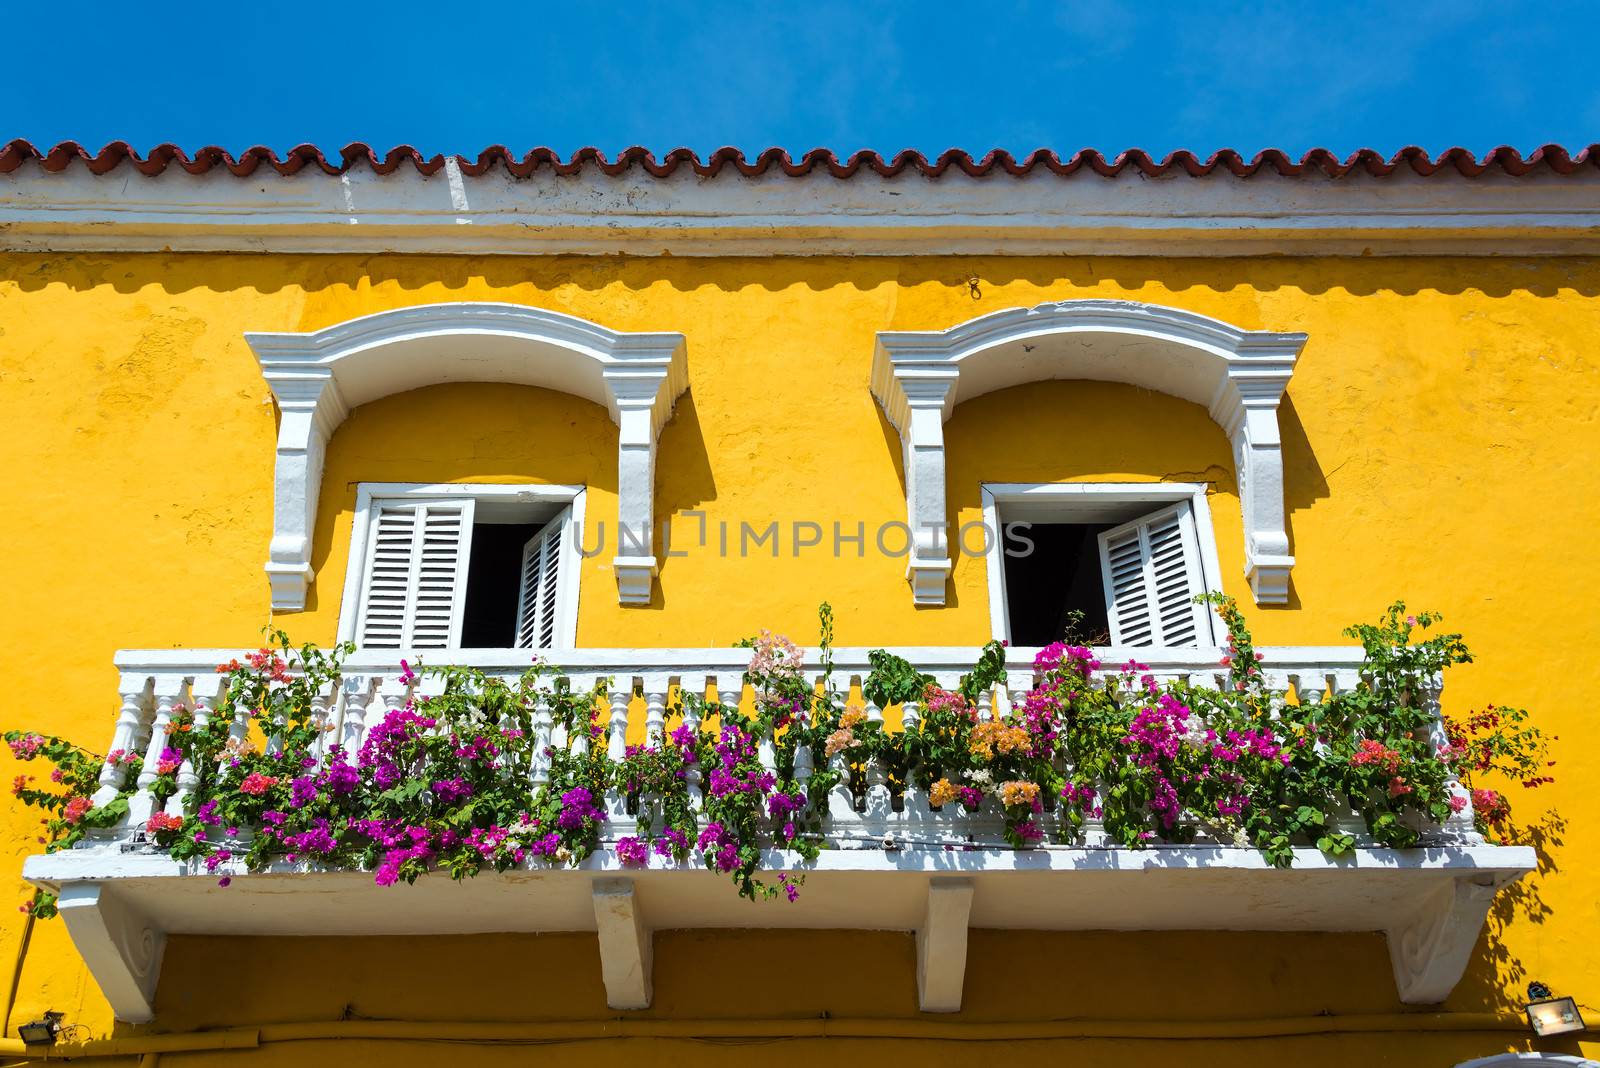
457,78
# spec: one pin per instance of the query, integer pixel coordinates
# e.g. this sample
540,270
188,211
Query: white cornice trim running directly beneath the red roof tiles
817,215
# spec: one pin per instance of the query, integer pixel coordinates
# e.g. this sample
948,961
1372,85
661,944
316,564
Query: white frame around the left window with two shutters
372,496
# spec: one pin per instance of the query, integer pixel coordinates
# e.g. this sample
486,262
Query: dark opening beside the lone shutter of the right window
1057,592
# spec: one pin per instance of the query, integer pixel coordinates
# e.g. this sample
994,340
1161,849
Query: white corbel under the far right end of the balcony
1430,950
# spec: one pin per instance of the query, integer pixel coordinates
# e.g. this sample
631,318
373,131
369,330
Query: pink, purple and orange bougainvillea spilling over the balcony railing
492,775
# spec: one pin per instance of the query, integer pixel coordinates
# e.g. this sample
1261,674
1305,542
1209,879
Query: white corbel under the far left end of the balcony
121,949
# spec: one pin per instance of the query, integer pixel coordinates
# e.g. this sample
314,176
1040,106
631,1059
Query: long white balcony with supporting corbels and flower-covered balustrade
894,863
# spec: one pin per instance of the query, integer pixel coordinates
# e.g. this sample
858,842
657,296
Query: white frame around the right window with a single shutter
1156,495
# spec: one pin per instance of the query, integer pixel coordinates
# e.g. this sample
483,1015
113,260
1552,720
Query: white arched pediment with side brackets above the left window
318,378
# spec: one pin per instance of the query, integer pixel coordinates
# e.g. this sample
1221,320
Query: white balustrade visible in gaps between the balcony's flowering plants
860,810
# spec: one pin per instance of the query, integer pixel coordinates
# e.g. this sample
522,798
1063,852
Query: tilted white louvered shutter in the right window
1153,575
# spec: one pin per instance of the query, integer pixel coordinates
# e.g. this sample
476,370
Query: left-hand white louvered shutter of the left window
417,575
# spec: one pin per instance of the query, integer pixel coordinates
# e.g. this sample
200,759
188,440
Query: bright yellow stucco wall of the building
1441,445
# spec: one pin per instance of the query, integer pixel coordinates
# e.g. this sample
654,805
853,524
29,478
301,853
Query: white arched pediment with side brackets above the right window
1238,375
